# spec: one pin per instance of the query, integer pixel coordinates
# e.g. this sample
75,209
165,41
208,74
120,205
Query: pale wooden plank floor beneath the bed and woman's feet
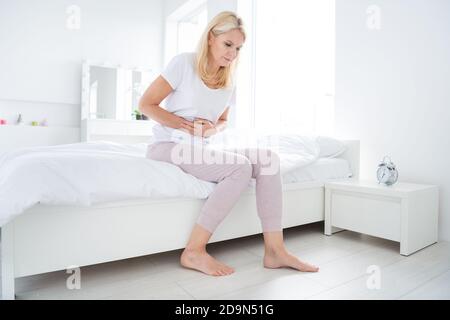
345,261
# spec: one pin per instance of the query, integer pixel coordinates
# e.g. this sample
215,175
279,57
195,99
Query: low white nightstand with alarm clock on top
404,212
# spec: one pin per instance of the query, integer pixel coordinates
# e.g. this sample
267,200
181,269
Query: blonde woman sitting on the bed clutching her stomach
200,91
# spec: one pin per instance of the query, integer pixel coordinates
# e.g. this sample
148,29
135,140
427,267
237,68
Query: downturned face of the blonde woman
225,47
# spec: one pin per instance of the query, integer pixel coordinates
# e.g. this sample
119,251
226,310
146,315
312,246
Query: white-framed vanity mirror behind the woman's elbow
110,92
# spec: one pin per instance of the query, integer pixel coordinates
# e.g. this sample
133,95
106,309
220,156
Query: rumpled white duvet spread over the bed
94,172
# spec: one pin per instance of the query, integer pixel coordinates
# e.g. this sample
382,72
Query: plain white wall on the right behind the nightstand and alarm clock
392,89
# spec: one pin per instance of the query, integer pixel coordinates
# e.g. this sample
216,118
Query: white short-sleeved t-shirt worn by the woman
190,99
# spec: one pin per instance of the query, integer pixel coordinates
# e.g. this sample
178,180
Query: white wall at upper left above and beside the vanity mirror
41,58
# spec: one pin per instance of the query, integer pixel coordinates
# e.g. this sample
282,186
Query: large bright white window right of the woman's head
288,66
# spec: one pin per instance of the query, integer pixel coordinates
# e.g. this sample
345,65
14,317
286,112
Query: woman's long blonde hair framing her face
222,23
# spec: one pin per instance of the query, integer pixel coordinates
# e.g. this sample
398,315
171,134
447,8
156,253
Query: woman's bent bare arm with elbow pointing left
149,105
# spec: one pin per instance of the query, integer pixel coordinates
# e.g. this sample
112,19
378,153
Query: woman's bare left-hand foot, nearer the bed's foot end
202,261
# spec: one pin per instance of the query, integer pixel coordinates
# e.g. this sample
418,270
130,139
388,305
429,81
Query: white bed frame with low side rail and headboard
50,238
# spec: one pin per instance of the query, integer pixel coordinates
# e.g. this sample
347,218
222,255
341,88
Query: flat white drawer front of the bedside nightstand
374,215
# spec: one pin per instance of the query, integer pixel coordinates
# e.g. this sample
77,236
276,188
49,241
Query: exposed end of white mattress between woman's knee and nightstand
323,169
